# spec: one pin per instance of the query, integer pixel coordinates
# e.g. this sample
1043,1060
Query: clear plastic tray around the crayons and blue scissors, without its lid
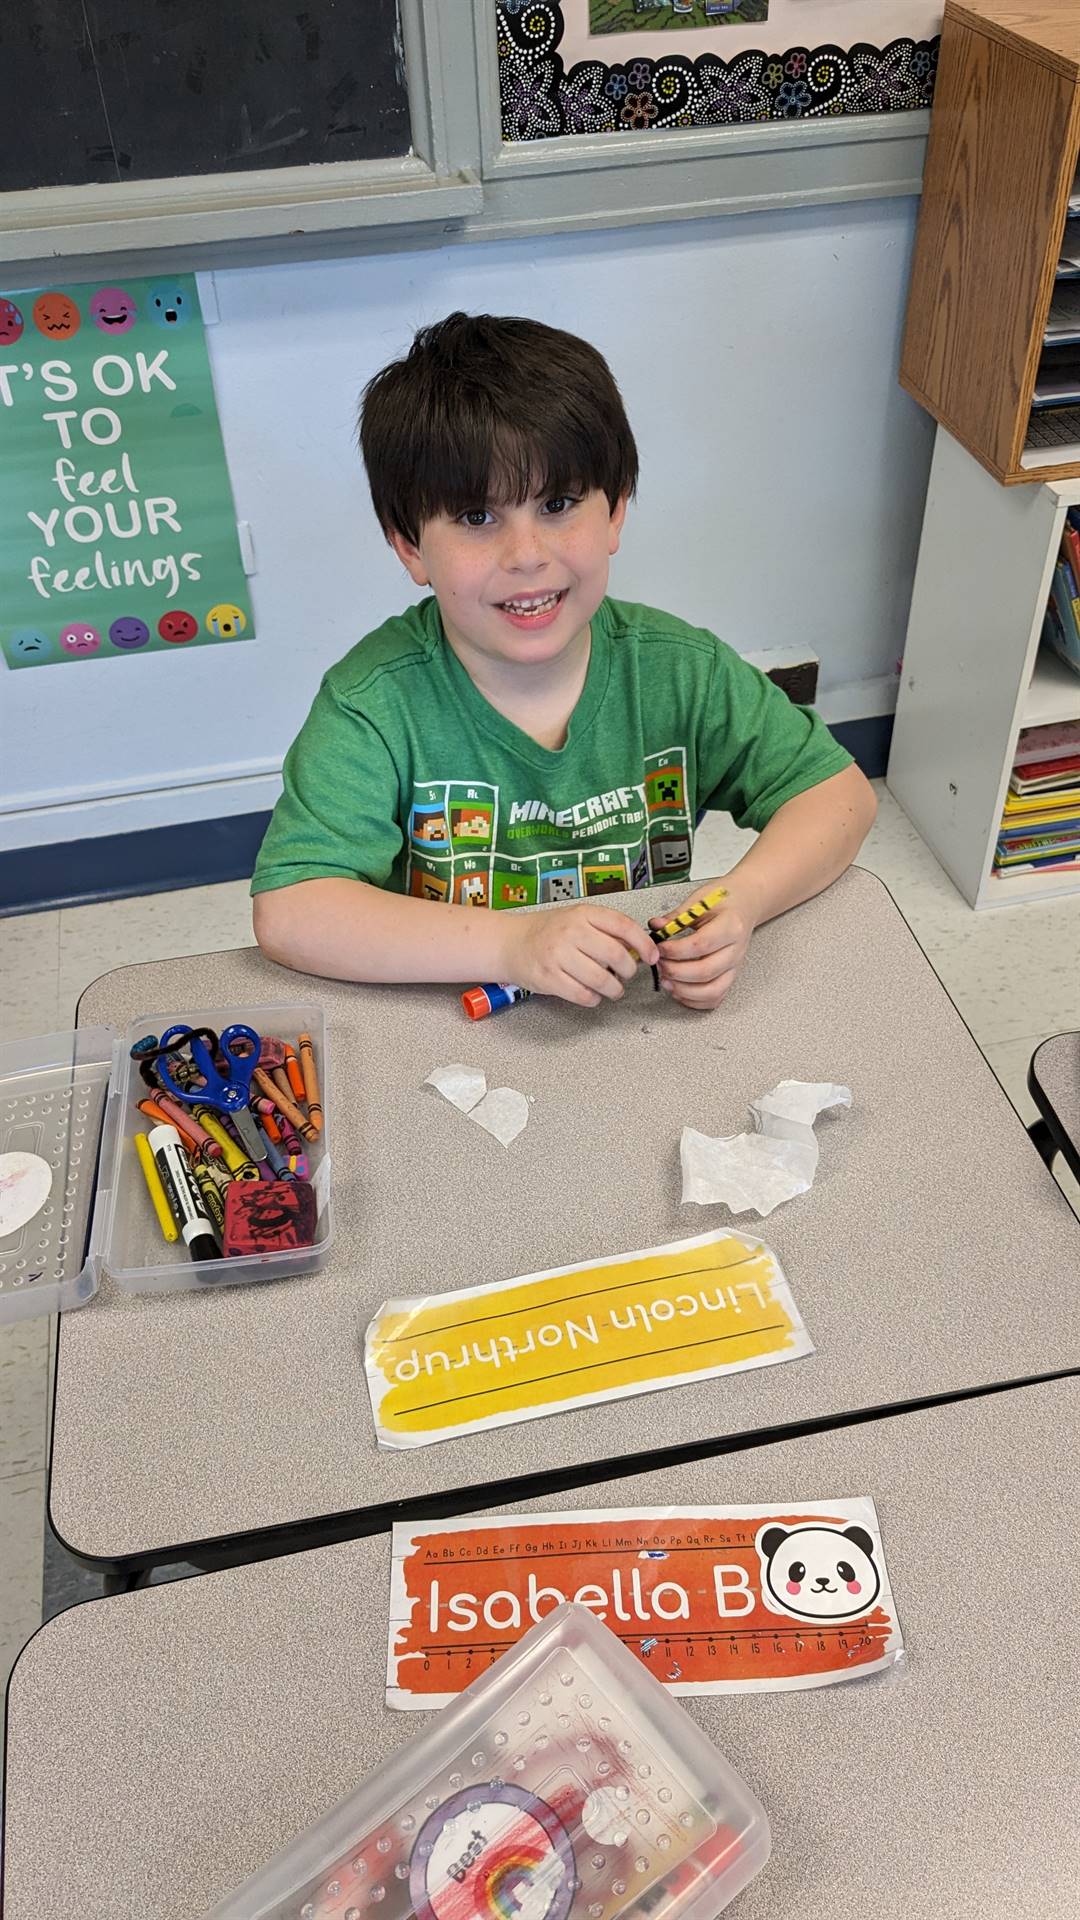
126,1239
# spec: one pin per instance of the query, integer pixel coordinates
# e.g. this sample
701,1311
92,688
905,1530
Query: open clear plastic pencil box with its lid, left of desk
72,1099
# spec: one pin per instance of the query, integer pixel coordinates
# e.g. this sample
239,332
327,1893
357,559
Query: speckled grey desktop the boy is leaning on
933,1257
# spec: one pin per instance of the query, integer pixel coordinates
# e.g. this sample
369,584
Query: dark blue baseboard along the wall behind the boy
162,859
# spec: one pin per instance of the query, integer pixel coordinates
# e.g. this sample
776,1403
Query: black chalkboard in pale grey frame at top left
97,91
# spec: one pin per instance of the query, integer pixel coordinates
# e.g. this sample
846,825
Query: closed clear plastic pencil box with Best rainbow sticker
566,1785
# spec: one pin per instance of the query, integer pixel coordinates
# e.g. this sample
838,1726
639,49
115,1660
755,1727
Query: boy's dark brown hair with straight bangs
493,410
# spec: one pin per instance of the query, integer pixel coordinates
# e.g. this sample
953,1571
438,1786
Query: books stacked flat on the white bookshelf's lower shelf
1041,827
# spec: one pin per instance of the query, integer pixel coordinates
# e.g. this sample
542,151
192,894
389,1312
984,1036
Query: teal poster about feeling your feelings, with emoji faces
118,533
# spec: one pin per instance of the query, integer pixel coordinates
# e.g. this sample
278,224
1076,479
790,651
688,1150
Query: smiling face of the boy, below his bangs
518,585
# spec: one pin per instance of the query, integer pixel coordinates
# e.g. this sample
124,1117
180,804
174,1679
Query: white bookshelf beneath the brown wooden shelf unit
973,671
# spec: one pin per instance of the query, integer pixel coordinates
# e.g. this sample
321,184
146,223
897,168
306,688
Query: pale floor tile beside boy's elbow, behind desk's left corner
160,926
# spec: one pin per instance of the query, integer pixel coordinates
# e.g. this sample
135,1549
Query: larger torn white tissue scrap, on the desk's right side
756,1172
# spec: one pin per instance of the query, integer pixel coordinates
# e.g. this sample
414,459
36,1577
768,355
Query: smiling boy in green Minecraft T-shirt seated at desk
520,736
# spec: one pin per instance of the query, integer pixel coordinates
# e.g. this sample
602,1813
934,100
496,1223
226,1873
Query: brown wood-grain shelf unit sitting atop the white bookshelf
993,335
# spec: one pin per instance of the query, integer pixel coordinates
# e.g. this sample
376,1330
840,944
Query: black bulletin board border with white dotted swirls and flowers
541,99
